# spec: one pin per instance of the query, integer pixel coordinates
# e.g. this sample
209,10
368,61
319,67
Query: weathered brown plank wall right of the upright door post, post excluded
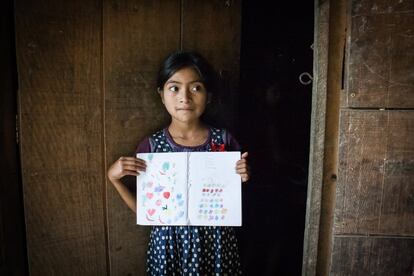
374,214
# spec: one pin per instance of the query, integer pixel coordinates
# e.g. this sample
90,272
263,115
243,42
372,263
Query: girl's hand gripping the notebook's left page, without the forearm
126,166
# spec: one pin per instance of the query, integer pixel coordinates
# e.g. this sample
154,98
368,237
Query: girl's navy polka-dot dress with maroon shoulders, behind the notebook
192,250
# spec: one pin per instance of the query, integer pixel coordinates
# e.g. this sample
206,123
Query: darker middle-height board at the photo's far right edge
397,209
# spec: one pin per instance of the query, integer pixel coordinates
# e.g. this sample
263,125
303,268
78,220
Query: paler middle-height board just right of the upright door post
361,158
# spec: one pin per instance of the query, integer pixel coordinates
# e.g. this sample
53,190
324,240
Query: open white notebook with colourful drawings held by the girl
189,188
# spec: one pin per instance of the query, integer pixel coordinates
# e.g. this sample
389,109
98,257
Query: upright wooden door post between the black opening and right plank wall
329,50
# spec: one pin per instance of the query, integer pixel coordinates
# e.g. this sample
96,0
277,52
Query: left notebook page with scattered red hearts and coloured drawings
162,190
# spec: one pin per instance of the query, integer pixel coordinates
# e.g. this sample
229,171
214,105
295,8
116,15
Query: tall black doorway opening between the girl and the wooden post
274,123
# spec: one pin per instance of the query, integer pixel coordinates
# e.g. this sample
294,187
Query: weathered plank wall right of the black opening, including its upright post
360,214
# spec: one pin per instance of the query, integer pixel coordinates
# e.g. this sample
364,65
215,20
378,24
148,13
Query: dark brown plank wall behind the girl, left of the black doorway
87,95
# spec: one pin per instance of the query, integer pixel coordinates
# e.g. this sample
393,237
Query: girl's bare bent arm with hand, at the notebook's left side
125,166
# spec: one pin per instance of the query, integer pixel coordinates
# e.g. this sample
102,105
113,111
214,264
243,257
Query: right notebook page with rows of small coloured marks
214,189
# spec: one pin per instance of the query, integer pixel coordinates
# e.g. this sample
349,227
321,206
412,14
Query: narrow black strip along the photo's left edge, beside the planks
13,260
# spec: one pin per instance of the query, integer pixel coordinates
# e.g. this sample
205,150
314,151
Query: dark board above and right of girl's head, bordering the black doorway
213,29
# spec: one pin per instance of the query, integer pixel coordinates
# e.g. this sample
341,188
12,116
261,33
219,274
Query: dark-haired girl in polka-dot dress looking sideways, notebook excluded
185,82
